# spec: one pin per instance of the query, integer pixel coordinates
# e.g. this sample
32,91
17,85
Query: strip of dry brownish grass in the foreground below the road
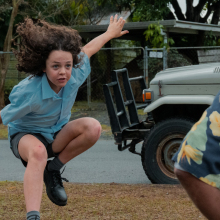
104,201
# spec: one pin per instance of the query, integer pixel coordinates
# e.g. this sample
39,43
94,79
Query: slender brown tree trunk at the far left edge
5,58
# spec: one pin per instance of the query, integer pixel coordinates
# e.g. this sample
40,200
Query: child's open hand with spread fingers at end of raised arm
115,27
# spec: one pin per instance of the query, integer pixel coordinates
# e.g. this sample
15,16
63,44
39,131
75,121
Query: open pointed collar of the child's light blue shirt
47,92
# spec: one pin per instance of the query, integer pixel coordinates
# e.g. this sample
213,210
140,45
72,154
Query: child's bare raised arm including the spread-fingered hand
114,30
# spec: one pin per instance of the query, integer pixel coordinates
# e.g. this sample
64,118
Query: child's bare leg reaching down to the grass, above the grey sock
34,152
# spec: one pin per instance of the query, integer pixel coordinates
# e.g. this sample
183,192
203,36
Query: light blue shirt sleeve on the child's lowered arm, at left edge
20,105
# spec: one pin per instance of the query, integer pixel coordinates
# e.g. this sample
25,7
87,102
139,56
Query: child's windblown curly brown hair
38,39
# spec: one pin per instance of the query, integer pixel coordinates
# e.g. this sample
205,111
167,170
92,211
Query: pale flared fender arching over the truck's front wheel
180,99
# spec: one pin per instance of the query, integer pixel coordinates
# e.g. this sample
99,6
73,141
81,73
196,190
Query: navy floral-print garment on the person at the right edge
199,153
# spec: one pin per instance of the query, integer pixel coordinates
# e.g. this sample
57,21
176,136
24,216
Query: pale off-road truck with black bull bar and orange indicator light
176,99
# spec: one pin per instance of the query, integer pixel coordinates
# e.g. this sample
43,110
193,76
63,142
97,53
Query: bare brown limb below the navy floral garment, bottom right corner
204,196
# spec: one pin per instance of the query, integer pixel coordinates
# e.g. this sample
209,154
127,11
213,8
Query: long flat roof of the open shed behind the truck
136,29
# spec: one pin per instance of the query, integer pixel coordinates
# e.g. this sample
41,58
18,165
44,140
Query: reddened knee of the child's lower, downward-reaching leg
39,153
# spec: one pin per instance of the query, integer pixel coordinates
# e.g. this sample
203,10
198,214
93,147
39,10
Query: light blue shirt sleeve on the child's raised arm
80,74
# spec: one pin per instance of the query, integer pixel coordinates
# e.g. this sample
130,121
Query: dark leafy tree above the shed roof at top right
157,10
